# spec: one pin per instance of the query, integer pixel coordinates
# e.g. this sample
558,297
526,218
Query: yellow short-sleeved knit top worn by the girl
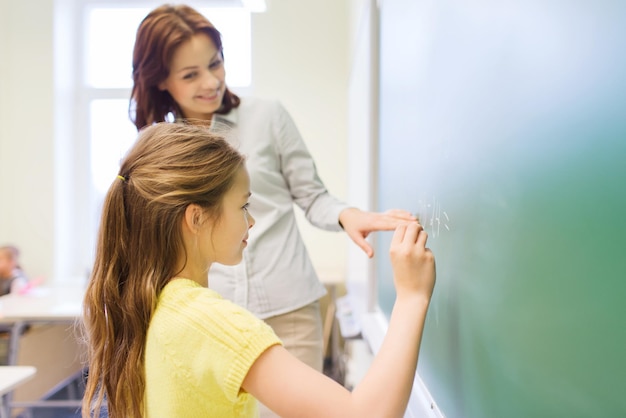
198,351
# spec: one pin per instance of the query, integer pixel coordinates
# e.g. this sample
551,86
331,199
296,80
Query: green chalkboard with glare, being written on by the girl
503,124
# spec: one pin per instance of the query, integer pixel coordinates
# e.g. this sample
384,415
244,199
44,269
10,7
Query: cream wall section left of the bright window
26,127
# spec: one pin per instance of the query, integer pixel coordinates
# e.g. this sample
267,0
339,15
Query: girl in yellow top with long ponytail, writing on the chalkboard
162,344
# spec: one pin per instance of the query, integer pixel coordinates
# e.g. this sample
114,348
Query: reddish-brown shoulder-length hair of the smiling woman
160,33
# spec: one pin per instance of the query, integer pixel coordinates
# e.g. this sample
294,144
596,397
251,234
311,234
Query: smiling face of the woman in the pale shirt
196,79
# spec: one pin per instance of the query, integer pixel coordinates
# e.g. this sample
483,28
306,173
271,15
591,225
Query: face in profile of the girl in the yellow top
225,240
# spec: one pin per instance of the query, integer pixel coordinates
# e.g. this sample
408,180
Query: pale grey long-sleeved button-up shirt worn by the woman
276,275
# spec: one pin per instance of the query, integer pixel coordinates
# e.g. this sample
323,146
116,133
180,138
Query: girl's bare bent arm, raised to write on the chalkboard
292,389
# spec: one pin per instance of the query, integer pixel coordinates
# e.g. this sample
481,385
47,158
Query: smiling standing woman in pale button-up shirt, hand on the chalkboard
179,75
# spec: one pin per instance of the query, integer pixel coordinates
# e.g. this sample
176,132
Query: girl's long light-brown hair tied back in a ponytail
171,166
